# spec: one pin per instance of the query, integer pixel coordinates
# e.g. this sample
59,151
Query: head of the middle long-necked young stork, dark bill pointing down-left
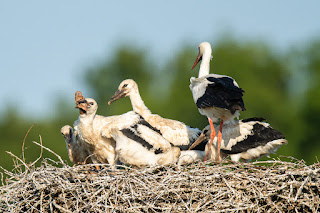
125,88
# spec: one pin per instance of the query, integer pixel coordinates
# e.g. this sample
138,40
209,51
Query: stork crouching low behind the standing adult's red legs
245,139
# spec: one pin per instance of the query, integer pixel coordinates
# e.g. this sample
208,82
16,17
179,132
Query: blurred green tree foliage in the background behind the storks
281,87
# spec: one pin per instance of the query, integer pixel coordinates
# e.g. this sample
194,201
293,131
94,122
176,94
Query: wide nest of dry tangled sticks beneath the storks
260,186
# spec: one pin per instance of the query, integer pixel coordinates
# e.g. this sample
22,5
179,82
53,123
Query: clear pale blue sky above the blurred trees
46,46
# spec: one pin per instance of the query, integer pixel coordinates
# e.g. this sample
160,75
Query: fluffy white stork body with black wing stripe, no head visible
138,143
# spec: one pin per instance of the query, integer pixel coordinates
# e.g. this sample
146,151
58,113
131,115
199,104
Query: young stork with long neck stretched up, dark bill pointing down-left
176,132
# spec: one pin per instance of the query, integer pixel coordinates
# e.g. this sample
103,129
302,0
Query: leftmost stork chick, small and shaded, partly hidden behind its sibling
77,151
